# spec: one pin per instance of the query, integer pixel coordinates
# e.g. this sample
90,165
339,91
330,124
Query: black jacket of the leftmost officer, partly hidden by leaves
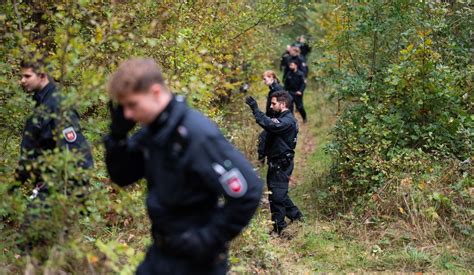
47,128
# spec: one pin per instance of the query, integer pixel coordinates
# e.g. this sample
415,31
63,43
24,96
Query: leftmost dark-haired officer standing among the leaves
50,126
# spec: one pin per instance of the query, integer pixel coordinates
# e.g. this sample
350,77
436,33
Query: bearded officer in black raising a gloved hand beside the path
282,132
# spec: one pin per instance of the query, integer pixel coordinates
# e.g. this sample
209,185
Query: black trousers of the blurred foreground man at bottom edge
160,261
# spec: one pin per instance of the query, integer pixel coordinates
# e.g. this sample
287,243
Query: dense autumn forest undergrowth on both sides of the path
400,71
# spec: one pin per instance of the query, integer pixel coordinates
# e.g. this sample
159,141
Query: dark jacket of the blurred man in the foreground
188,165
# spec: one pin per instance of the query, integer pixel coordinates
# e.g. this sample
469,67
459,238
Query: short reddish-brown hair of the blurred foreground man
134,76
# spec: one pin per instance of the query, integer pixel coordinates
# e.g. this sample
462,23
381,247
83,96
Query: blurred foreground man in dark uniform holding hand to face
189,166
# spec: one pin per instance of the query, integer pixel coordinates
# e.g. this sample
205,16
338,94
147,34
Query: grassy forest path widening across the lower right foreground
322,244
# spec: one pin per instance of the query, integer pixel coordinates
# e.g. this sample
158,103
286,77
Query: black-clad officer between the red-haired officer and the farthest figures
295,85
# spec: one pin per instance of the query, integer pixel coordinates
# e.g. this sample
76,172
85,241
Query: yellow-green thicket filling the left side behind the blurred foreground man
208,50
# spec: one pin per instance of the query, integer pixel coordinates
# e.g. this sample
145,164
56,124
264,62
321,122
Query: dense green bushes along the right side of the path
401,73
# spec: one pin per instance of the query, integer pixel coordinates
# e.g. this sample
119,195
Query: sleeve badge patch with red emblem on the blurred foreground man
232,181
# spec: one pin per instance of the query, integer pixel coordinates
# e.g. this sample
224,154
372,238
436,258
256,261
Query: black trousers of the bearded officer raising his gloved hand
281,206
